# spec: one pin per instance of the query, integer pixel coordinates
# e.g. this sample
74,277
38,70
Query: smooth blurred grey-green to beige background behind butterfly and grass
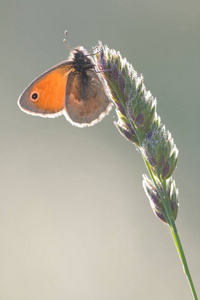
75,222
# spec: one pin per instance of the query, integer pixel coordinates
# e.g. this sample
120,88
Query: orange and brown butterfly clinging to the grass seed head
73,88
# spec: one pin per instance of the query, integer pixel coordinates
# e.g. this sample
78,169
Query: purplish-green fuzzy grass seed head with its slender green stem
139,123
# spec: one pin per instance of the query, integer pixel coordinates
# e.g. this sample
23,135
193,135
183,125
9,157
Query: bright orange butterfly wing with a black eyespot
45,96
